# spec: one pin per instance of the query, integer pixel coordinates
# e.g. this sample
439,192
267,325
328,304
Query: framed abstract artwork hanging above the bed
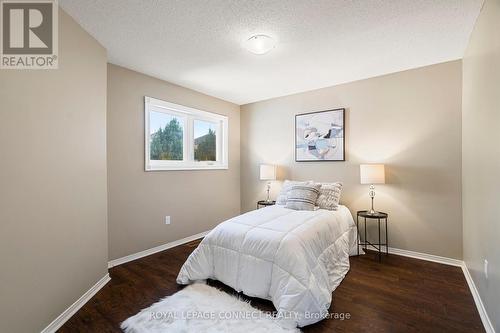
319,136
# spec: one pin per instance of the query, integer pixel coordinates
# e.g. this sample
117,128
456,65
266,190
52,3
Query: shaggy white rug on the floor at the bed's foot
201,308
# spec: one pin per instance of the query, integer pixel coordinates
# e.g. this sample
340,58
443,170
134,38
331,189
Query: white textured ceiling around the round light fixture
197,43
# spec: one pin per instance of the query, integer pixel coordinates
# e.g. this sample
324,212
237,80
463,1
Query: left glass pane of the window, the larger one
166,135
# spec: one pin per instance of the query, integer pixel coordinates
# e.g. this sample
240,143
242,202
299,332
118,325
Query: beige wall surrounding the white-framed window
138,200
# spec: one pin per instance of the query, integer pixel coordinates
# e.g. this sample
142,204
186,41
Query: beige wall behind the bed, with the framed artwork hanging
409,120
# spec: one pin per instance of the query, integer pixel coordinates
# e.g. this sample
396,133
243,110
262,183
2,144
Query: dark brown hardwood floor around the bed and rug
398,295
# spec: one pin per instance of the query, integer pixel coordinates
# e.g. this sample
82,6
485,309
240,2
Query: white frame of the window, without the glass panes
189,115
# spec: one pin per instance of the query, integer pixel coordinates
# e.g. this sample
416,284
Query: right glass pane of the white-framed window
205,141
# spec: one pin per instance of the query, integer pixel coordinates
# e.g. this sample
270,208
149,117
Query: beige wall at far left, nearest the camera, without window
53,233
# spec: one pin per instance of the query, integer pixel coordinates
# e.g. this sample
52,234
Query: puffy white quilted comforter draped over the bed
293,258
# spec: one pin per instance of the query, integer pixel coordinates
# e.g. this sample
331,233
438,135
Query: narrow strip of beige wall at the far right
481,157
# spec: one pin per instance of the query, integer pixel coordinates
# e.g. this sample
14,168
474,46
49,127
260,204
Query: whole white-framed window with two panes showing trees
183,138
